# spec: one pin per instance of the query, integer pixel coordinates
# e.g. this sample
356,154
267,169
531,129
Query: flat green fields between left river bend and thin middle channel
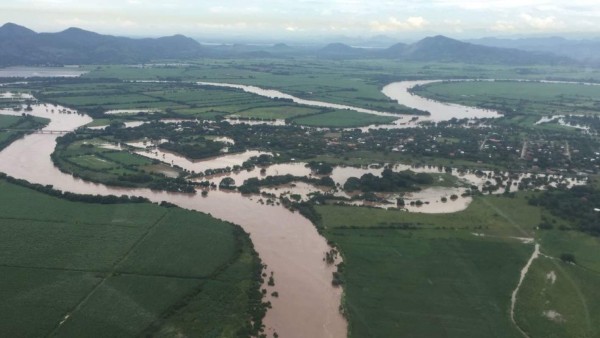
185,100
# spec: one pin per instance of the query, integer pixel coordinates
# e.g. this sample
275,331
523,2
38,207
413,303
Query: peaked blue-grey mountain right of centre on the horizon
443,49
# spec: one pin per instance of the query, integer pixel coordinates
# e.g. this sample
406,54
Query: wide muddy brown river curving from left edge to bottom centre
307,306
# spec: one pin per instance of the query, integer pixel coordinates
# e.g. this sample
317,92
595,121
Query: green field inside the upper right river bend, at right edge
522,97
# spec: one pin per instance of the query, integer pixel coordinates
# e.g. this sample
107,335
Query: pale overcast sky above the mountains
301,18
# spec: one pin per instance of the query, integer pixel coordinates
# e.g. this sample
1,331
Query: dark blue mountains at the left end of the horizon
22,46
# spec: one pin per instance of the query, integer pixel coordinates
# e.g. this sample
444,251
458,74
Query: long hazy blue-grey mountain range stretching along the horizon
22,46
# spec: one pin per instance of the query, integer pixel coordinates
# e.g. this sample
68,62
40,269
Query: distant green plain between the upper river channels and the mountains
351,82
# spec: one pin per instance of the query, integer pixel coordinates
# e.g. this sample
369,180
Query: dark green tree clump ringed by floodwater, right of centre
389,181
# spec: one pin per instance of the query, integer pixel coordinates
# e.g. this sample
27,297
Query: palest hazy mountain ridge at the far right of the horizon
582,50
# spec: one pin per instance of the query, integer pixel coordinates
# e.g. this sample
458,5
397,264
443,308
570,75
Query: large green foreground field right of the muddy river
452,275
